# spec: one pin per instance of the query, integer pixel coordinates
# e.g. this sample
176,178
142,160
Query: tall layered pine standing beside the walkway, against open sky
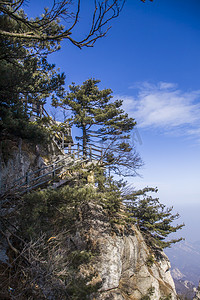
103,121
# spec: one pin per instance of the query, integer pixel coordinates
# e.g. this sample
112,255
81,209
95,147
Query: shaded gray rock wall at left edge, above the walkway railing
18,157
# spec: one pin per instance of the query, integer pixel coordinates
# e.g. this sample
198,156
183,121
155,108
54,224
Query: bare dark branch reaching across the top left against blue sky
43,28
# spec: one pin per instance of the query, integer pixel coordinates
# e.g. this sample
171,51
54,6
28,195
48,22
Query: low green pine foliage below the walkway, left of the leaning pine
49,210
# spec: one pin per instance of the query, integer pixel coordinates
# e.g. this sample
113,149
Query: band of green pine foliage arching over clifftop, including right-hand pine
153,219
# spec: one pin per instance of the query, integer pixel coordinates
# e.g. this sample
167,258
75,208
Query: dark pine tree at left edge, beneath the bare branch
26,78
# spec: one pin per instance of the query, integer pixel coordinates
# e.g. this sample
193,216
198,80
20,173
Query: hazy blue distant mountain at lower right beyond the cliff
185,261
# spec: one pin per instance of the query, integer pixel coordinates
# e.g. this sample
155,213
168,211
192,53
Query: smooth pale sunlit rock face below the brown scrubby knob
123,268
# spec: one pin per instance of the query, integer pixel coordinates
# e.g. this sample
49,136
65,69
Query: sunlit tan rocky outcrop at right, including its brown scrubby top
125,266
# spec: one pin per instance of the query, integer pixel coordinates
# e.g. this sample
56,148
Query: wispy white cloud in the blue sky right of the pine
164,106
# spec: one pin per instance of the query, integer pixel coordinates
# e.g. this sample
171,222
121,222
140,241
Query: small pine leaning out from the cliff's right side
154,219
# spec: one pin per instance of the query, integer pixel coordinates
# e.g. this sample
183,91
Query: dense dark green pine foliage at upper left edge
24,82
